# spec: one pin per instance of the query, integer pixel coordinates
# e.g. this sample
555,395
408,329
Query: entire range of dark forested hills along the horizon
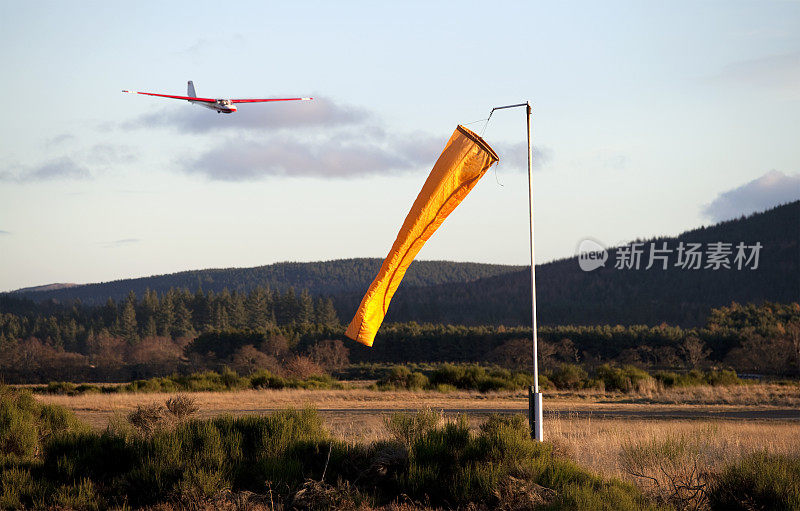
474,294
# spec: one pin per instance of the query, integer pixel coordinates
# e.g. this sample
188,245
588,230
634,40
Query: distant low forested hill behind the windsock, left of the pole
324,278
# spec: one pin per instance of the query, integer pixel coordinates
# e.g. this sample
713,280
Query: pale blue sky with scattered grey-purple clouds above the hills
649,118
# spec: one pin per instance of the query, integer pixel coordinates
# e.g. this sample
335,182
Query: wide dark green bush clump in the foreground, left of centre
198,458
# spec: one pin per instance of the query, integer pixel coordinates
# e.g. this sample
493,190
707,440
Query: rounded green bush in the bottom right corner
758,481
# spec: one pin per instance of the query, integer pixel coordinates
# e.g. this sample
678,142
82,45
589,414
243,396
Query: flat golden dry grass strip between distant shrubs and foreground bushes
358,404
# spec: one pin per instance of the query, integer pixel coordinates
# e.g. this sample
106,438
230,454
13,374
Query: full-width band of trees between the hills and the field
290,333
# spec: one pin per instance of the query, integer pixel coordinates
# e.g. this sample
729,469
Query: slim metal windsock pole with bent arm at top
534,396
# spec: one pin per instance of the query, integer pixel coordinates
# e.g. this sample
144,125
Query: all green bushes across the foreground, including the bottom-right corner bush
163,457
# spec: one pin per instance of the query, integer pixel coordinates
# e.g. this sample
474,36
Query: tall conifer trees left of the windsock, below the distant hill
174,314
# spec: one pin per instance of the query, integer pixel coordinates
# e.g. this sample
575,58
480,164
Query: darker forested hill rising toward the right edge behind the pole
607,295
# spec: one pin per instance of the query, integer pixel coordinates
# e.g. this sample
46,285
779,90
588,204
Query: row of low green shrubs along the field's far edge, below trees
416,377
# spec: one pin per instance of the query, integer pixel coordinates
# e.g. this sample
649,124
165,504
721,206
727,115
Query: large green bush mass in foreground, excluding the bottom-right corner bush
290,455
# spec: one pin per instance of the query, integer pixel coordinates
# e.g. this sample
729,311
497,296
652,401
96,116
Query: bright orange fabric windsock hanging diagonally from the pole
465,159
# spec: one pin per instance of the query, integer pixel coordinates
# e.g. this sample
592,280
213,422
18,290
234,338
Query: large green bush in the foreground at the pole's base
450,466
